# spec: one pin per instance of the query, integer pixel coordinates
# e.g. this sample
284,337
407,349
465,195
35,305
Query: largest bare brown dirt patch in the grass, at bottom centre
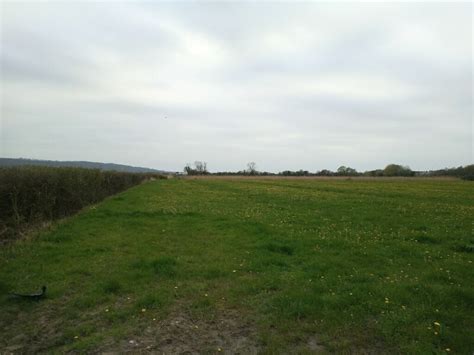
180,333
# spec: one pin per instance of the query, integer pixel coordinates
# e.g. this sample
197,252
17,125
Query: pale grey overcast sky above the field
287,85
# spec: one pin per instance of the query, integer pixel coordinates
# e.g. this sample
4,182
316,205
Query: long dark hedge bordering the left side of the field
32,195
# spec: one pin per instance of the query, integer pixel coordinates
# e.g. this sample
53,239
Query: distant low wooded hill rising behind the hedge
8,162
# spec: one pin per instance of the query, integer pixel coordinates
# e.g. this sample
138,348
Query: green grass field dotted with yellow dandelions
381,266
